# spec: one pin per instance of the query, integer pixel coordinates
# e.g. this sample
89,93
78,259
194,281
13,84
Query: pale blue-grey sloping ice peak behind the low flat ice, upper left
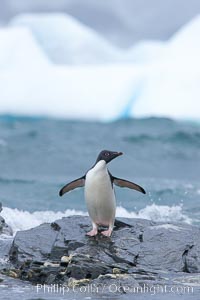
66,41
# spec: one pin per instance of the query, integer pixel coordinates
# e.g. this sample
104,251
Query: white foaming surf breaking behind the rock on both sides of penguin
22,220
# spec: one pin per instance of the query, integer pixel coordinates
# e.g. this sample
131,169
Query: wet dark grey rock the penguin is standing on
139,253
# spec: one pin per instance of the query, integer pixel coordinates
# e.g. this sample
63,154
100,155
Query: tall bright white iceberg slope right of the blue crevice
172,82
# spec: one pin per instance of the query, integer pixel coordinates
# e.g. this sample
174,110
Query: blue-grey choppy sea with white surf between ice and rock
38,156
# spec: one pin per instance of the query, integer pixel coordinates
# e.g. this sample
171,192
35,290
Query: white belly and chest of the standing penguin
99,195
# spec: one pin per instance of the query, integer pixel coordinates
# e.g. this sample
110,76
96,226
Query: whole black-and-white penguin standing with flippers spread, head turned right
99,192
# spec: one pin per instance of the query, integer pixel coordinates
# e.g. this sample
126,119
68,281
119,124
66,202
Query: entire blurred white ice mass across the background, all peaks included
52,65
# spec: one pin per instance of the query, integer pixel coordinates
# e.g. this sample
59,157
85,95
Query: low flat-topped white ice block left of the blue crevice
90,93
